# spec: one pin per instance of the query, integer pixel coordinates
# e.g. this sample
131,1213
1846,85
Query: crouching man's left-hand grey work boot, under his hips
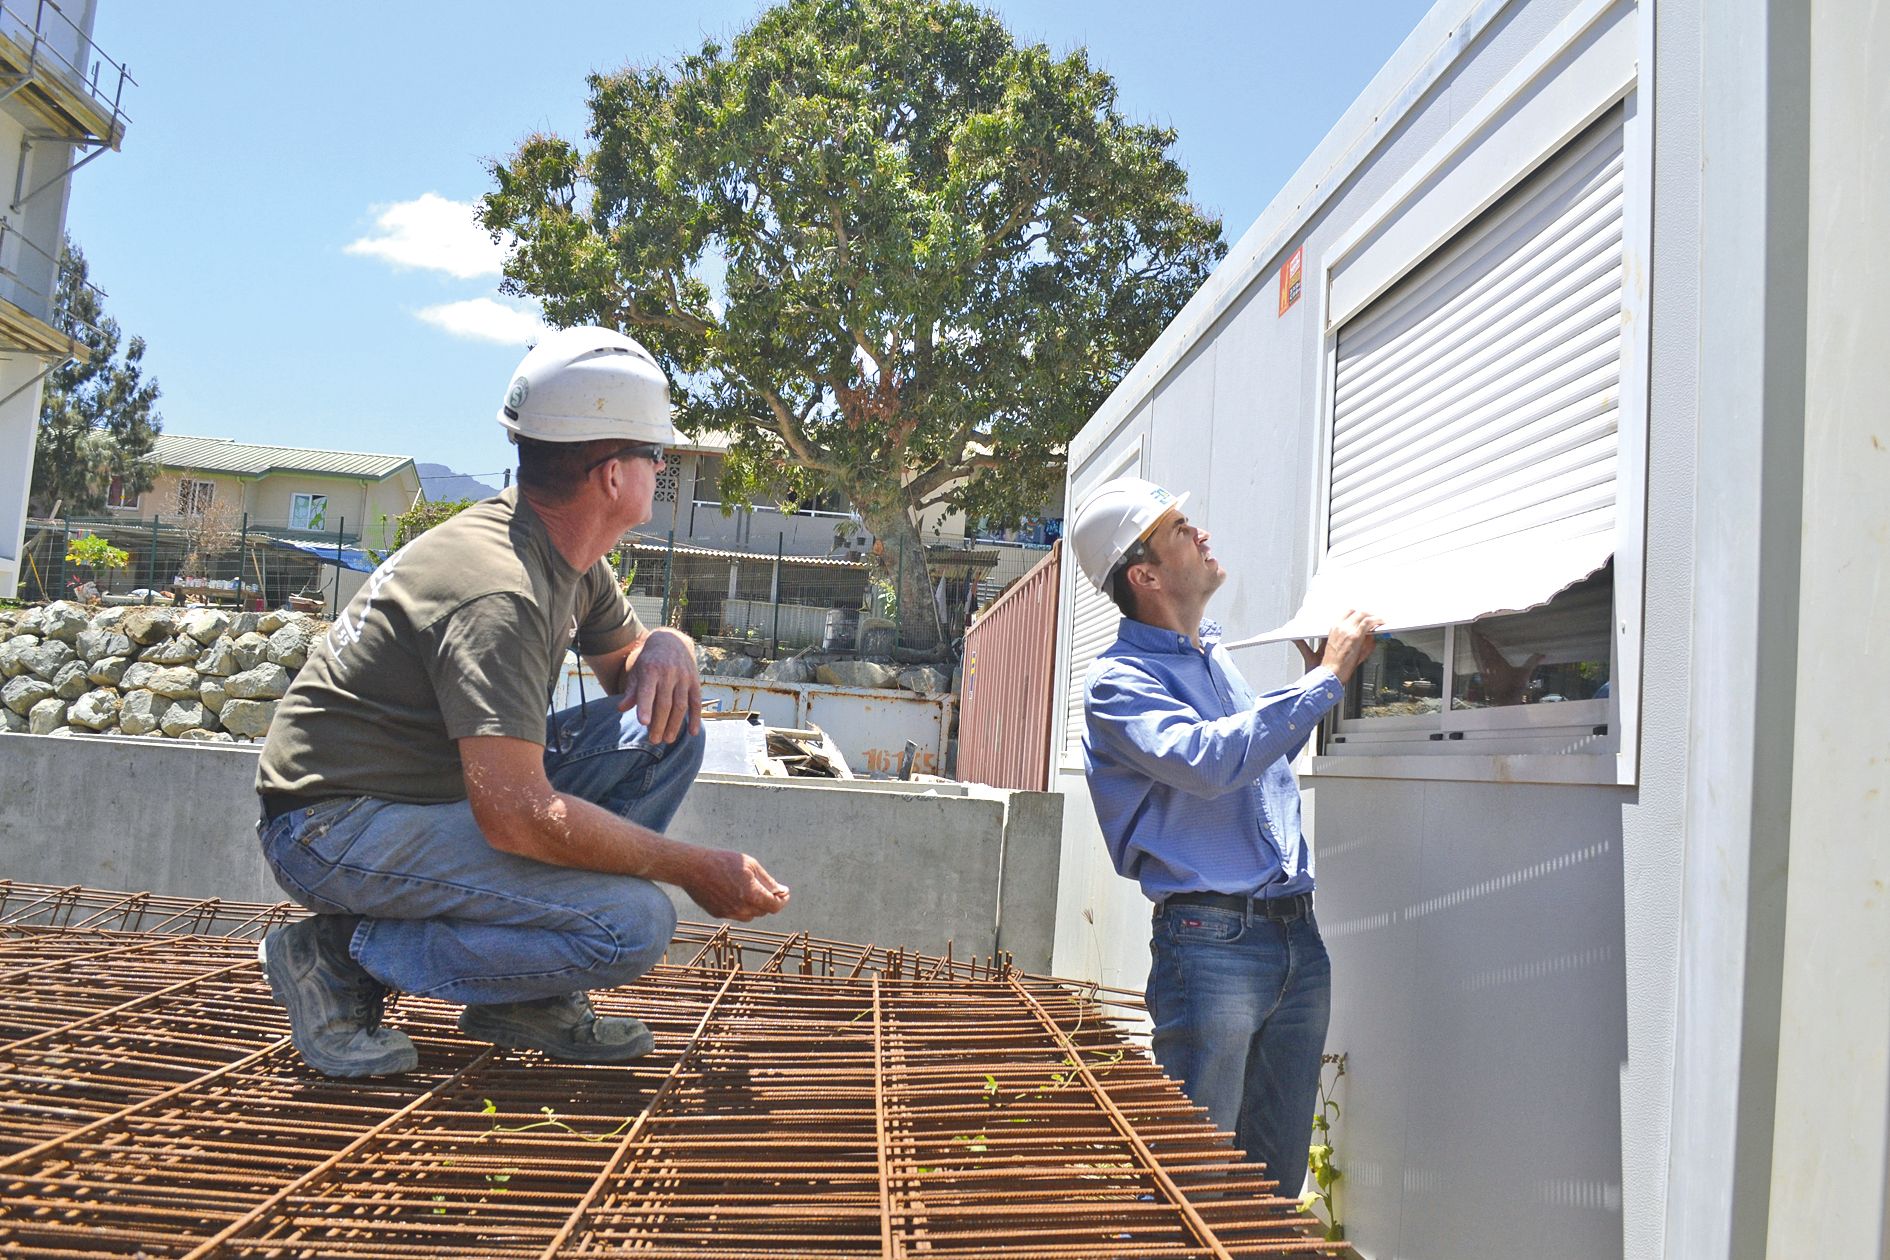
334,1002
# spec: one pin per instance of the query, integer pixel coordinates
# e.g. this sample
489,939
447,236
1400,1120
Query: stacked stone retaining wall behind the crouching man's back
175,673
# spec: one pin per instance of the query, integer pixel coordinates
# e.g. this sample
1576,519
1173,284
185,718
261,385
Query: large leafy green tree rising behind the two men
885,247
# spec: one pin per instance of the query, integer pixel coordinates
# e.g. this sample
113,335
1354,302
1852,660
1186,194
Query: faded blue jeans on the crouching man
447,915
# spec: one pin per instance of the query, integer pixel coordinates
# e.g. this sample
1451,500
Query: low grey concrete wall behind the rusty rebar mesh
889,866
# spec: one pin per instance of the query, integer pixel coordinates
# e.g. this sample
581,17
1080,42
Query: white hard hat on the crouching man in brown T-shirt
585,384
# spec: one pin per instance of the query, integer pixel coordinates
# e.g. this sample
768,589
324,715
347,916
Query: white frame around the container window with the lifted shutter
1602,56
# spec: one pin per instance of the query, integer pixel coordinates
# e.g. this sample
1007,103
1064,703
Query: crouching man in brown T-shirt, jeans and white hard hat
451,840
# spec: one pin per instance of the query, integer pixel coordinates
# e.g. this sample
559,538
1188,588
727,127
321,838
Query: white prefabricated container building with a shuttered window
1579,311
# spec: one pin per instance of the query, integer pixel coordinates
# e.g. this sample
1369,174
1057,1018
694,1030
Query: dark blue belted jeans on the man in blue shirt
1241,1006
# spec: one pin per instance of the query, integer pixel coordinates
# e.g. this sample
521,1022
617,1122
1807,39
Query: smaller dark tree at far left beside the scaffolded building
97,417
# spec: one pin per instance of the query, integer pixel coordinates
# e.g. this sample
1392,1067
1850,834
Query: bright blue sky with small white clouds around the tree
284,224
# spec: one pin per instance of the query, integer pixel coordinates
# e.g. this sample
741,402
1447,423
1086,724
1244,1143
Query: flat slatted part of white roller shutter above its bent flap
1479,398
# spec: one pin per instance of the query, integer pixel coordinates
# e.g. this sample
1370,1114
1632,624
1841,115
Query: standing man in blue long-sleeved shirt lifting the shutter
1188,770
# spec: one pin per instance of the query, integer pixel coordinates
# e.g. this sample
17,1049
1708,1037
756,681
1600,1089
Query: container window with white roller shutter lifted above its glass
1471,481
